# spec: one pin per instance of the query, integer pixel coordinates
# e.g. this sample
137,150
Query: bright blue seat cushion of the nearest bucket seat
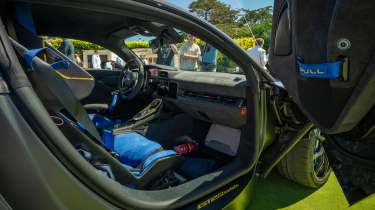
132,148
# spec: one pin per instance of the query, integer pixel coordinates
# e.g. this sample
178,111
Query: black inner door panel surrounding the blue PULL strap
317,28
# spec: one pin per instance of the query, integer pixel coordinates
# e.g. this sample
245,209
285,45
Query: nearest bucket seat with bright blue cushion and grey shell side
141,157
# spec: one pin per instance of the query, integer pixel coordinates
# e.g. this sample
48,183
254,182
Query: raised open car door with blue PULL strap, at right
323,52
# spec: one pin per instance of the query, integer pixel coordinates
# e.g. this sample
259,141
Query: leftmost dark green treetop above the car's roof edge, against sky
214,11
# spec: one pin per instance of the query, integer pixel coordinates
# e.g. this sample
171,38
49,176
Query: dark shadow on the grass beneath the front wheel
276,192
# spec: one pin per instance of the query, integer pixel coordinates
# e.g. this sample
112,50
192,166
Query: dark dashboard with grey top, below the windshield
213,97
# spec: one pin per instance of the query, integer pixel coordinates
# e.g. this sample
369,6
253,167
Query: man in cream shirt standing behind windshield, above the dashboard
189,55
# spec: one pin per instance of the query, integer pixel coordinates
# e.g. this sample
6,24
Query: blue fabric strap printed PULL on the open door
329,70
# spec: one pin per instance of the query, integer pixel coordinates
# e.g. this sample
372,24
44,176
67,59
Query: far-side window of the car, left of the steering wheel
87,55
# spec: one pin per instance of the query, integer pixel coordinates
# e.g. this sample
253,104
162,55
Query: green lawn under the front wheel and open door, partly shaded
276,192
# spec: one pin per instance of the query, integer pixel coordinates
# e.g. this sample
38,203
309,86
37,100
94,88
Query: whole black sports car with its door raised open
191,134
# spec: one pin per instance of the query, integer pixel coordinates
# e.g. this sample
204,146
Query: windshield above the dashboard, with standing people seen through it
188,54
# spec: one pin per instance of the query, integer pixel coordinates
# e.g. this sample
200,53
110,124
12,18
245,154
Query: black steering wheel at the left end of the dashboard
131,80
